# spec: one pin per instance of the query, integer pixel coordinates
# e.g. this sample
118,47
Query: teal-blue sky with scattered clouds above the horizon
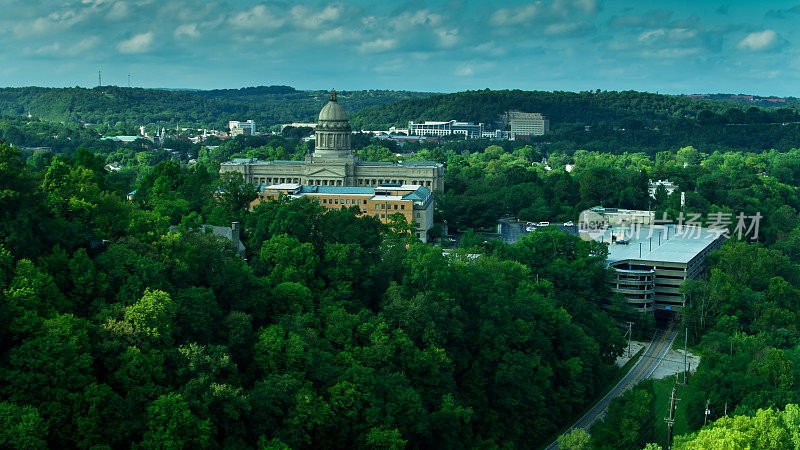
676,47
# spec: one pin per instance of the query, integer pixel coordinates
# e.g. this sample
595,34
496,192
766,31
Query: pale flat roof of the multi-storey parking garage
684,242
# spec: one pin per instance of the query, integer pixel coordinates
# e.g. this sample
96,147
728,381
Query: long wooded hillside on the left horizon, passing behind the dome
267,105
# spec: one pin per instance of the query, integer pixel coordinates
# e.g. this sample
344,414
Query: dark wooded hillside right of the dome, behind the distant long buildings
560,107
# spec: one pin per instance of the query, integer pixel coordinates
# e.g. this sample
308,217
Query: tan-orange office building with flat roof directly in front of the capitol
414,202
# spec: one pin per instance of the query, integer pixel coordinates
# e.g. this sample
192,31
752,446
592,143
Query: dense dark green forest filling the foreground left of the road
336,331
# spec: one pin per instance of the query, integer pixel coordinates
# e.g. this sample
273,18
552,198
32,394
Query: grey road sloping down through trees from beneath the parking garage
642,370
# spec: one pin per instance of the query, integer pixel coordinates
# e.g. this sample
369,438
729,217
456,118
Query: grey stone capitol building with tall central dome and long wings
333,162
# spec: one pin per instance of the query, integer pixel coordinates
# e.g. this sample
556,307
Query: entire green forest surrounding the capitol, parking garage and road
126,323
